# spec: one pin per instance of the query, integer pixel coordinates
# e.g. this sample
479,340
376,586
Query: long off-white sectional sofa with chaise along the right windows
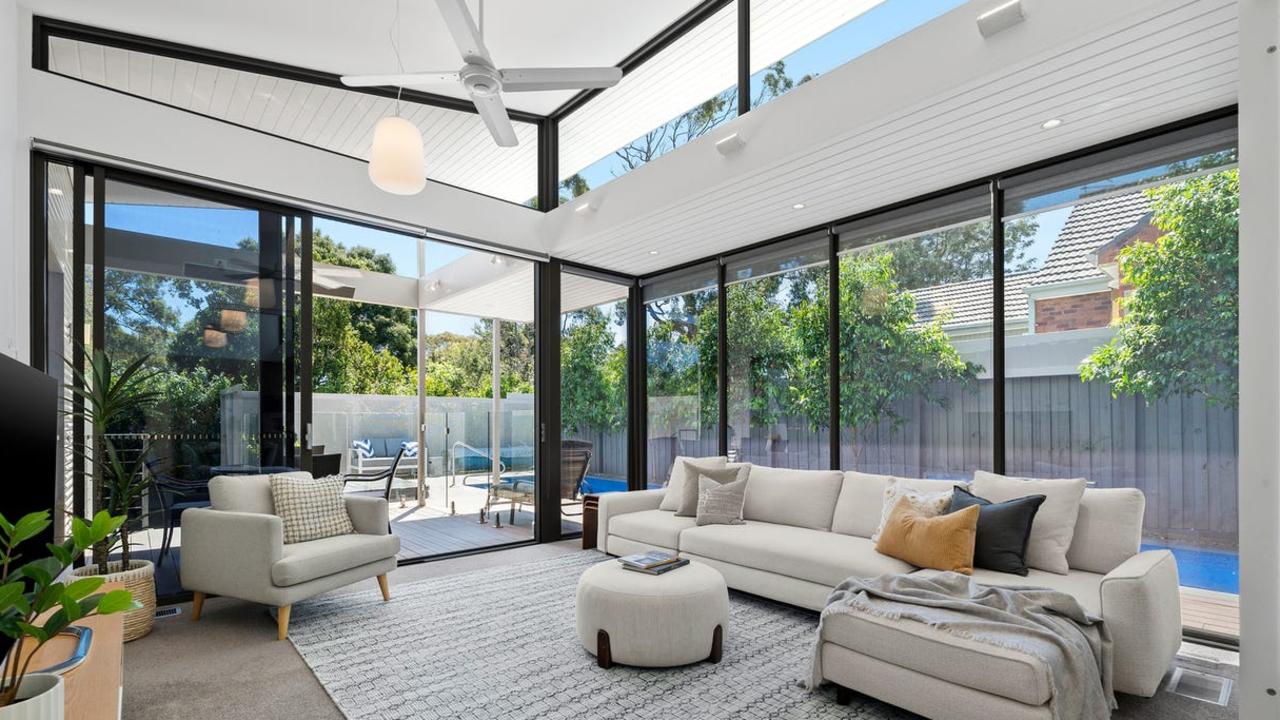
807,531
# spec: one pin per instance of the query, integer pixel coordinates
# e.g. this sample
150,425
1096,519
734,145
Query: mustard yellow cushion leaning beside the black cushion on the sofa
943,543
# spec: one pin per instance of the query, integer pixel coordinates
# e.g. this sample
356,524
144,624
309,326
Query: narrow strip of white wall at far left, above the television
13,252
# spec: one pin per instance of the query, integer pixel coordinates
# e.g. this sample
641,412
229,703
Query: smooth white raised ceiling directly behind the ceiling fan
350,38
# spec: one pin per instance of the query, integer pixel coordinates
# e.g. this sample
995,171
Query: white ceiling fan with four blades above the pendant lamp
483,81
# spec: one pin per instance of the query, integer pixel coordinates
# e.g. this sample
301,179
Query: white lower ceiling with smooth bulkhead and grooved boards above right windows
847,143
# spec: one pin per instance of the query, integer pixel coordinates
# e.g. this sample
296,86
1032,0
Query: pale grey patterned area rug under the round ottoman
504,644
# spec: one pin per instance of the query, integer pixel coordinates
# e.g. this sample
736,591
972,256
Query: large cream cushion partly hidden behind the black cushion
1054,526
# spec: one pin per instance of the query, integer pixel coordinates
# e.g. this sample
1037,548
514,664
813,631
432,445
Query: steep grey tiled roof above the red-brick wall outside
1090,227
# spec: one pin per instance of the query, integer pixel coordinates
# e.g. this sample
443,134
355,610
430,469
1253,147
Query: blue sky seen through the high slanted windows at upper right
866,33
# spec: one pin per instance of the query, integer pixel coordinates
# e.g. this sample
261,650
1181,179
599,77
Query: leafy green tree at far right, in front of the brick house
1178,331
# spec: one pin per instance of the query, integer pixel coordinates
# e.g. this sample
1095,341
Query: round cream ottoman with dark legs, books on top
652,621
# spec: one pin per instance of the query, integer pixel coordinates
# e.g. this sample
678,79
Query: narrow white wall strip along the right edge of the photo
1260,358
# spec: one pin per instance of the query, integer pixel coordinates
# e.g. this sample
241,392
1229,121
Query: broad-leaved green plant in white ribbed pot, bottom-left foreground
35,607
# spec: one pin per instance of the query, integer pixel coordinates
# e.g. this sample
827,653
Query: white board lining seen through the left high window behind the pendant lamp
459,148
